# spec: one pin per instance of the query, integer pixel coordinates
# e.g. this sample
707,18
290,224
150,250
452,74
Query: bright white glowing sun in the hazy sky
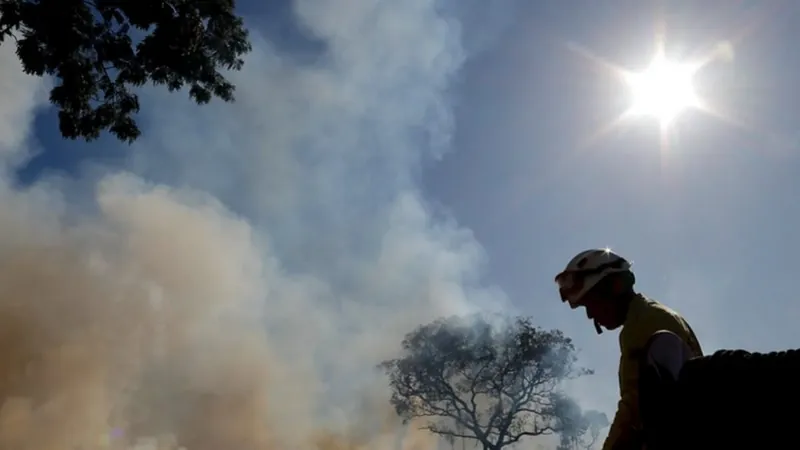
663,90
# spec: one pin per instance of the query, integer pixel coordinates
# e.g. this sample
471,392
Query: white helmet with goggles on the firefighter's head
585,270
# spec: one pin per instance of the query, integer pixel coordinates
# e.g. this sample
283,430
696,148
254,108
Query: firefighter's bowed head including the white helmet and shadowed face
602,282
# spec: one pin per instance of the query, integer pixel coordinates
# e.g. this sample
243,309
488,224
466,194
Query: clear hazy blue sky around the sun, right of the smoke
708,222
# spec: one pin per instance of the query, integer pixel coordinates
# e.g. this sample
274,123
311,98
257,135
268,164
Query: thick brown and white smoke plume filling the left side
233,284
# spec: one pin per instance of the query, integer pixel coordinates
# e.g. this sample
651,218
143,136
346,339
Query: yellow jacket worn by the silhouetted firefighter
645,317
